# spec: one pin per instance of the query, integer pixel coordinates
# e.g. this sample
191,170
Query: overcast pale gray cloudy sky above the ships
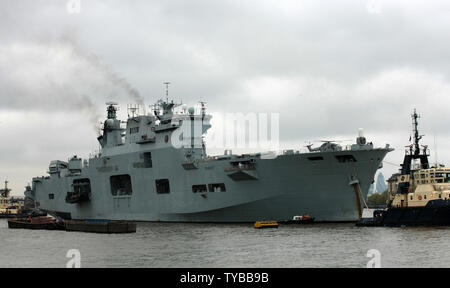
328,67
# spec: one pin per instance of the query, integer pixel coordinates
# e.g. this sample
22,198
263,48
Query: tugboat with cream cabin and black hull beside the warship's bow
421,194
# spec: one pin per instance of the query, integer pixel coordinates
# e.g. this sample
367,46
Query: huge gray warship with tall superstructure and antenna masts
139,175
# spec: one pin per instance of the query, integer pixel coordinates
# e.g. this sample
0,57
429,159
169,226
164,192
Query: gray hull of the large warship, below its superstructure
318,184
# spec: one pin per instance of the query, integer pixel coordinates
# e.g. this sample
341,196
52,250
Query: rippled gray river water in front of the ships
229,245
